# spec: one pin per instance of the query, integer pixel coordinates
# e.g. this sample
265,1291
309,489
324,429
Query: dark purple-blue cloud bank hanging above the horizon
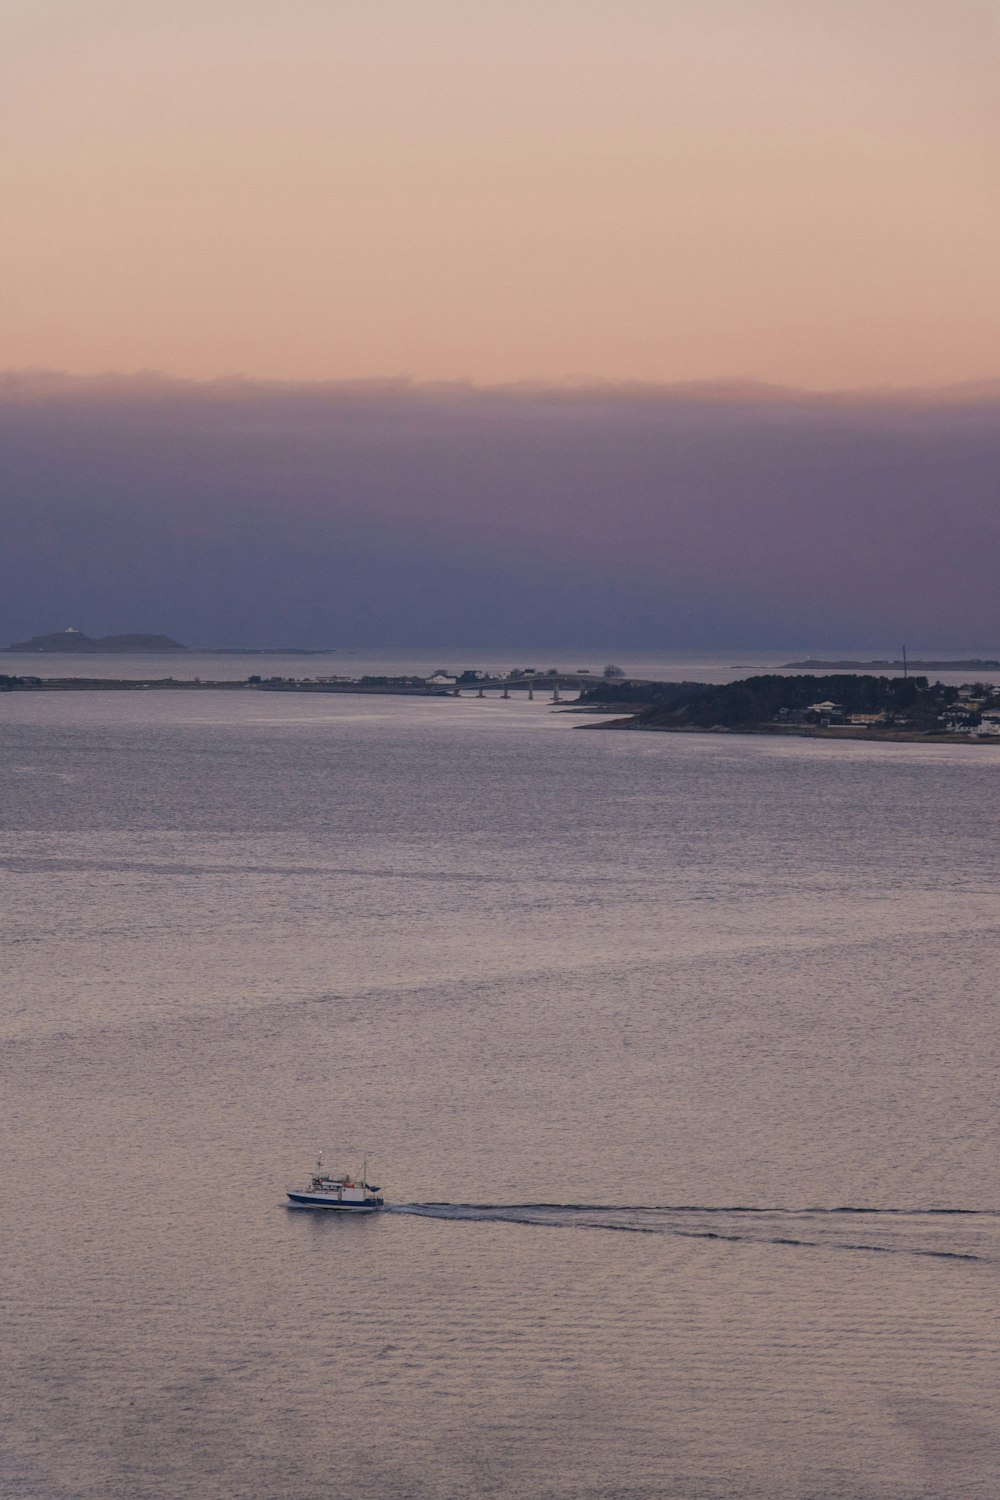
386,514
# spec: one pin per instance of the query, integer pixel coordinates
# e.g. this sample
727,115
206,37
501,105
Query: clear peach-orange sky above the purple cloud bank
792,191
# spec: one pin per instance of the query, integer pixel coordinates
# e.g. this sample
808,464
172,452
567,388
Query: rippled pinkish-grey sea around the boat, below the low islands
677,1058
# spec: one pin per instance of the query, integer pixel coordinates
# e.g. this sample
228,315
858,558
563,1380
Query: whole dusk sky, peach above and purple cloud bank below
458,293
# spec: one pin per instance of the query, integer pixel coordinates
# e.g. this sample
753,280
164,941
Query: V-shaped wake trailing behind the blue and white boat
972,1235
